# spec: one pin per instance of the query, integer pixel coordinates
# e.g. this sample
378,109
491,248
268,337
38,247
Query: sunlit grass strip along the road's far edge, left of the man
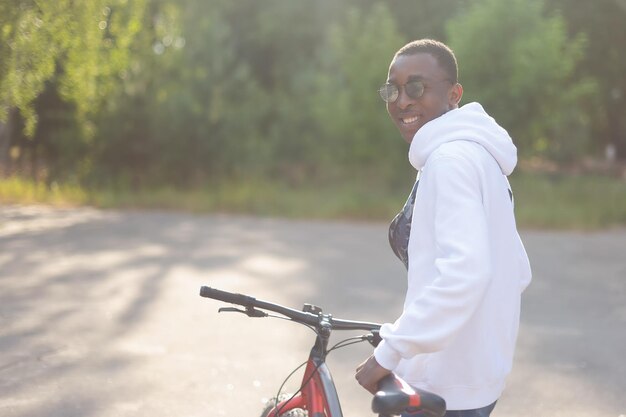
263,198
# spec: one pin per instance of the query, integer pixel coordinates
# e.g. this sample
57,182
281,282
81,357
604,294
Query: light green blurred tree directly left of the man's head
353,120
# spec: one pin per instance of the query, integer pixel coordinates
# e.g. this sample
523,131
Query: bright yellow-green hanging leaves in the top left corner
79,46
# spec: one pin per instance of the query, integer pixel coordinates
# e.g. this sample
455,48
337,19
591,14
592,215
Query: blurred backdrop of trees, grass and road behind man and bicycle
270,108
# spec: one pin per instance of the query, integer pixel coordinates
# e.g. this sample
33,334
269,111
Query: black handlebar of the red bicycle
296,315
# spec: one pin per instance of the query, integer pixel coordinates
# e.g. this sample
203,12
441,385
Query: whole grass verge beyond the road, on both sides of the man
542,200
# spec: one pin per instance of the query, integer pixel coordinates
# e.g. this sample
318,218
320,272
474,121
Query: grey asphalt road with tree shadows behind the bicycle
100,314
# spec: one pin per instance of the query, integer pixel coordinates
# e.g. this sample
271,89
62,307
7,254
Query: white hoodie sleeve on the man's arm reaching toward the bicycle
462,263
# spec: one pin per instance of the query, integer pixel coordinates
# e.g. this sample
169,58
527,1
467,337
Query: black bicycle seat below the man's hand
395,396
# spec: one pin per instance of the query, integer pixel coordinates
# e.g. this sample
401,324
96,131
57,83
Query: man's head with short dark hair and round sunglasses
422,85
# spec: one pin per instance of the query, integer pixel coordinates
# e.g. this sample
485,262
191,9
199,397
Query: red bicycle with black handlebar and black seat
317,395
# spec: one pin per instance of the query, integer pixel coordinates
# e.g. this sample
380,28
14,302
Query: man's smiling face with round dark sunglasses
439,94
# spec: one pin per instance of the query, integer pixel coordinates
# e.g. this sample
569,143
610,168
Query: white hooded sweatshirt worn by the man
467,264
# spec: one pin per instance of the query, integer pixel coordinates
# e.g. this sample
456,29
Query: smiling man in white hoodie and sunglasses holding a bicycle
457,236
